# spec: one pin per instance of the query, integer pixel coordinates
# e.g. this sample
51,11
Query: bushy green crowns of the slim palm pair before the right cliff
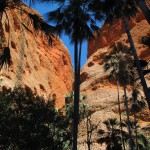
120,65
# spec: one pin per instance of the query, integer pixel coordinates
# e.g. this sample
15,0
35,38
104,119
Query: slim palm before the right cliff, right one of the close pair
121,61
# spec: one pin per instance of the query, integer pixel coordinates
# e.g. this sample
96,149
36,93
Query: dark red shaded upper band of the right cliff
109,33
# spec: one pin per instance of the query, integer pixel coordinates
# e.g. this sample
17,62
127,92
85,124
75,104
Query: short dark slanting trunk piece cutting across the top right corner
144,8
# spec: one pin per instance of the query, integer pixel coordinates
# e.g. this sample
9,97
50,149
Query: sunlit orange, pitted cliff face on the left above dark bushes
44,68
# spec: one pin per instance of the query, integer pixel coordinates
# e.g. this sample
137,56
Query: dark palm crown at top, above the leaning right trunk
113,8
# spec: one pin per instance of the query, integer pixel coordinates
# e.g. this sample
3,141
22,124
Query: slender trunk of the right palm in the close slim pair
128,119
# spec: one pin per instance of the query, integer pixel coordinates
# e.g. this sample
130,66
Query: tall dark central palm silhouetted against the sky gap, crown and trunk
74,19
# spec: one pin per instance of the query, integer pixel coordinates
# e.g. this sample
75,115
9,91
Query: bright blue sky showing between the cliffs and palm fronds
43,9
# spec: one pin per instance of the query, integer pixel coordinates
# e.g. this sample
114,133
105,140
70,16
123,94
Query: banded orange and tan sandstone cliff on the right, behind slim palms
101,93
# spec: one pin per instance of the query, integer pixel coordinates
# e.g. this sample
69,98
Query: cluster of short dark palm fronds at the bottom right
112,135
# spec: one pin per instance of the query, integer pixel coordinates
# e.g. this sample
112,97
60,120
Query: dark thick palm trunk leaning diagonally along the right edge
140,72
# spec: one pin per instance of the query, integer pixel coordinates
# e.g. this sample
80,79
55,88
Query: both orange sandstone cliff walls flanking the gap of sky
46,68
